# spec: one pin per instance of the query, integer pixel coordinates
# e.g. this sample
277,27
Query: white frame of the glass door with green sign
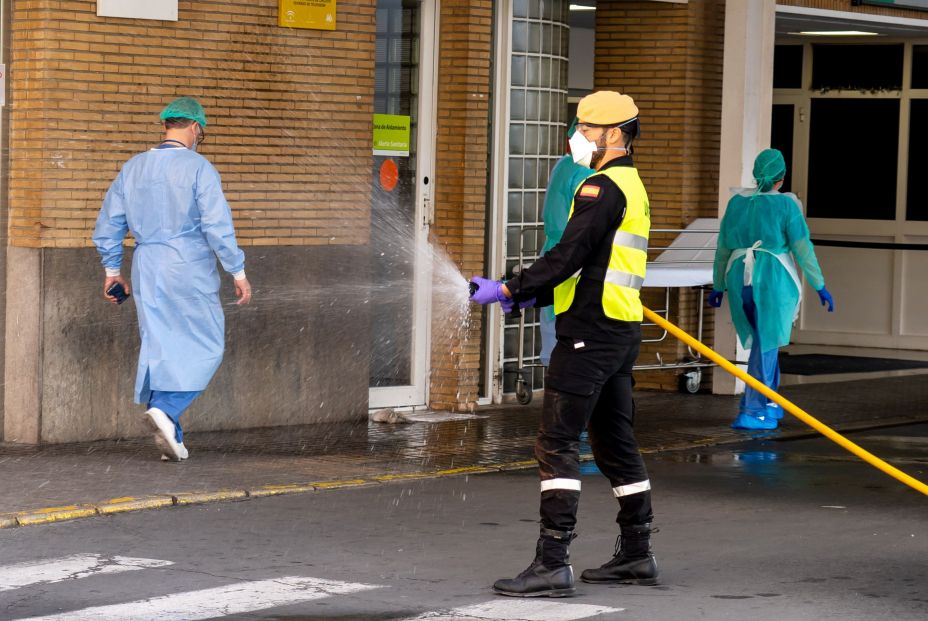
417,393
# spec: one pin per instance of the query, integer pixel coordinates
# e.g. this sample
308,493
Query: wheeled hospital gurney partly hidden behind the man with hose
685,263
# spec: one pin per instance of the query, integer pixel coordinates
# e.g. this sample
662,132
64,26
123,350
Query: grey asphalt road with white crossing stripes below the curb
766,530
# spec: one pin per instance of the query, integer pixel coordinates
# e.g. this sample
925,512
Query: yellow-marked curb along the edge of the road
130,503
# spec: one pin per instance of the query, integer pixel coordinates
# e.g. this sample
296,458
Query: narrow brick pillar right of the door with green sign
464,77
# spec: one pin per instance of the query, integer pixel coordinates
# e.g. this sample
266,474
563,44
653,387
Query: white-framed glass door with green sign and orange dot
401,205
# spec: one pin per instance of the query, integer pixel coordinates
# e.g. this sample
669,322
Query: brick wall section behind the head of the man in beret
668,57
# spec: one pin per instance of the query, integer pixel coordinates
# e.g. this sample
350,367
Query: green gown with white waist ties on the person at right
776,221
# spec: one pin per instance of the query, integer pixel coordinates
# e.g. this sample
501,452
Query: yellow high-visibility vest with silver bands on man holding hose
629,256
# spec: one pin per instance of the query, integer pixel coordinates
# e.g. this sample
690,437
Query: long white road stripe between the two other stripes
236,598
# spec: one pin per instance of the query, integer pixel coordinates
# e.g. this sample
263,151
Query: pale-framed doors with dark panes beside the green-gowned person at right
869,223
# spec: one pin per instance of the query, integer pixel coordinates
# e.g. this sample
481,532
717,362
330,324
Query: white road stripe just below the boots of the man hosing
519,610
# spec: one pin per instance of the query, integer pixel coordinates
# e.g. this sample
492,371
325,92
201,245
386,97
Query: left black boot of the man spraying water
549,575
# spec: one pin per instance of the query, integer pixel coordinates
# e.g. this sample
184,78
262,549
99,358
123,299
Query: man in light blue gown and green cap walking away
171,199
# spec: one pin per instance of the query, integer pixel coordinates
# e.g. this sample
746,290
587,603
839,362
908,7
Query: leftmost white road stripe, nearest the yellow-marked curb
70,568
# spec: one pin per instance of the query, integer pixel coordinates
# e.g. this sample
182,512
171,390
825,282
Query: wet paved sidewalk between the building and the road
61,482
